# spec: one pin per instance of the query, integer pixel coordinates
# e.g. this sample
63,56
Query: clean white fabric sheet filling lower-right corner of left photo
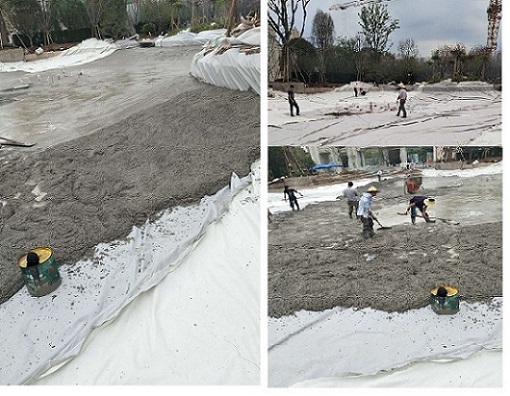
199,326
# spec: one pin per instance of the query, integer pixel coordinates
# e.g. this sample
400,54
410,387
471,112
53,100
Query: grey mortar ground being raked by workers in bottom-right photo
317,259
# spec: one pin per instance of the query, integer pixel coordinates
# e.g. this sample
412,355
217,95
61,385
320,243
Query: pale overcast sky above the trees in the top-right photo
431,23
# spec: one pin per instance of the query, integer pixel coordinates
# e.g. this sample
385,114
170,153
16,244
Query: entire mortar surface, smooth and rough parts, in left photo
125,145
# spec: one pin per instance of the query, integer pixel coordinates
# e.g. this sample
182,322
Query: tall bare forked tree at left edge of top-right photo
282,20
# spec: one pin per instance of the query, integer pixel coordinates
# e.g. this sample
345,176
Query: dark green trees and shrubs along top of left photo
42,22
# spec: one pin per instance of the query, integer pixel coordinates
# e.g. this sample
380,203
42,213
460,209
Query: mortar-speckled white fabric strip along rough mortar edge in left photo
38,333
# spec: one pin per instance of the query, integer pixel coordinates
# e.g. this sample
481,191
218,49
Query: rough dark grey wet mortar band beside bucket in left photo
100,185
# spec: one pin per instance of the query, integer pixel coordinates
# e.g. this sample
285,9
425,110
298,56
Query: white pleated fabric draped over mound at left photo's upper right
231,69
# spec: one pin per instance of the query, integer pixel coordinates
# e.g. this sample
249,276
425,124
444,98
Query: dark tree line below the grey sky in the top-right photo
325,59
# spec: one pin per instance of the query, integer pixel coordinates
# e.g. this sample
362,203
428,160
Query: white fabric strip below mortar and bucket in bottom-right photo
343,342
